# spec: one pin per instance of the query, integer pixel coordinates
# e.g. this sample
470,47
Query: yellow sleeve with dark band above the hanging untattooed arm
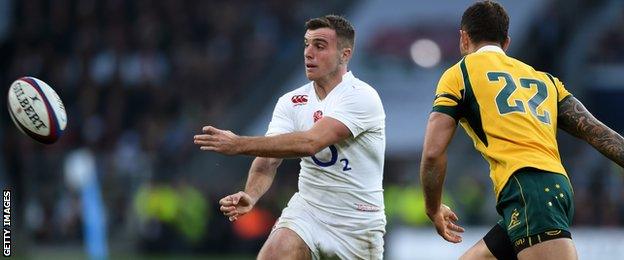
449,93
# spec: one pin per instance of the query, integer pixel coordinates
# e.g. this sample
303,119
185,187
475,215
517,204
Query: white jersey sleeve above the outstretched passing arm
359,110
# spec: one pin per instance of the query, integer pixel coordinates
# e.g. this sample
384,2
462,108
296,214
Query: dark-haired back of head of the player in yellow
486,21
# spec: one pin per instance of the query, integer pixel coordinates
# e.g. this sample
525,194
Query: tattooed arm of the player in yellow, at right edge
575,119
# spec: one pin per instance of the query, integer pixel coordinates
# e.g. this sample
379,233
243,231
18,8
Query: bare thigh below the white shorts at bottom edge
284,243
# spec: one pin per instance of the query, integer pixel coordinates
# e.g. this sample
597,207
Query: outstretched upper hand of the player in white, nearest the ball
217,140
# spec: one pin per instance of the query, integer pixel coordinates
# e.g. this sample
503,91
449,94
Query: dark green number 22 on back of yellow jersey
502,99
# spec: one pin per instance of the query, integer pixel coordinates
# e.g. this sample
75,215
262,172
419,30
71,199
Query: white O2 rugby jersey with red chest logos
344,179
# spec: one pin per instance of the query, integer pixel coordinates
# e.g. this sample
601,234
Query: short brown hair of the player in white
344,29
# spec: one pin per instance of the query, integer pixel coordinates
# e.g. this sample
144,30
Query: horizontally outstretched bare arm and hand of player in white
325,132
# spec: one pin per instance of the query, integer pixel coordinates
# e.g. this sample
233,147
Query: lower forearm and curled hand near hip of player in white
261,175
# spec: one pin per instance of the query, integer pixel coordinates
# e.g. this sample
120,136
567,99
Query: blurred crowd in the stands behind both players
140,78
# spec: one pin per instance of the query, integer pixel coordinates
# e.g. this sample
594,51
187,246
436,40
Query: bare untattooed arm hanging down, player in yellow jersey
440,130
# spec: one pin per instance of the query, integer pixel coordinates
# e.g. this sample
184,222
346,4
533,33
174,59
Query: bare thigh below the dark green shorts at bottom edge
556,249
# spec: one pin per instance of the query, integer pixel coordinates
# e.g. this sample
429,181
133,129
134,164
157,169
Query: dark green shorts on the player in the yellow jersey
534,204
